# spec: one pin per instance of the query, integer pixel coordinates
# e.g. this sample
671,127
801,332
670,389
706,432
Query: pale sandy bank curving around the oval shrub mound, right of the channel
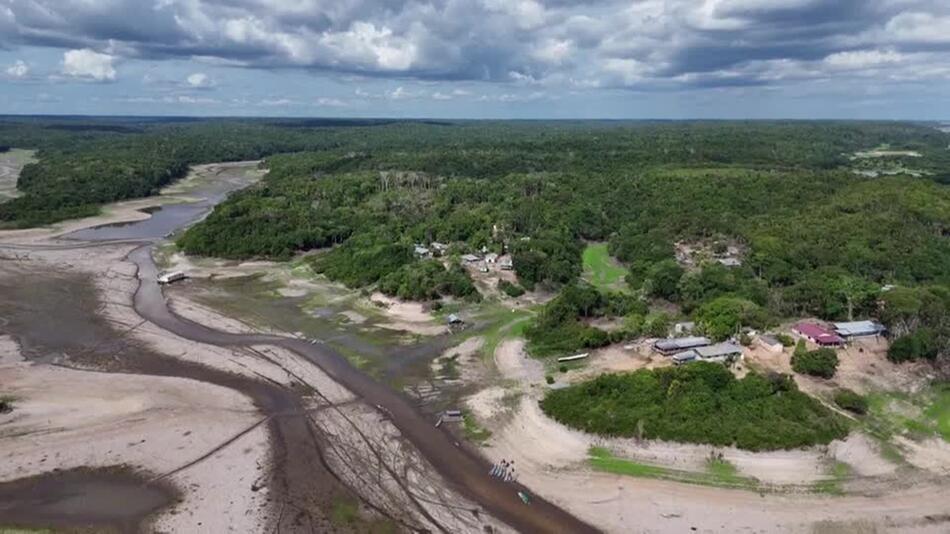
552,459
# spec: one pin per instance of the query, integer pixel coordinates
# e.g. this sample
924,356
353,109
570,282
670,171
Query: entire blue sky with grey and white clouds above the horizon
478,58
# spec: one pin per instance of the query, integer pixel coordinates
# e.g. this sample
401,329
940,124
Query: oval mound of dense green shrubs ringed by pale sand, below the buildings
697,403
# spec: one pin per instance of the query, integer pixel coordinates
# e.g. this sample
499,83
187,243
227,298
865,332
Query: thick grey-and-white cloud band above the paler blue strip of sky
644,43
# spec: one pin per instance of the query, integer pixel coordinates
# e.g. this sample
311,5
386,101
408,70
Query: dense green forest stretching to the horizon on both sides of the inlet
813,236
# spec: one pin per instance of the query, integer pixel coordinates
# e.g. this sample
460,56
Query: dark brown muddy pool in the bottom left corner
88,500
